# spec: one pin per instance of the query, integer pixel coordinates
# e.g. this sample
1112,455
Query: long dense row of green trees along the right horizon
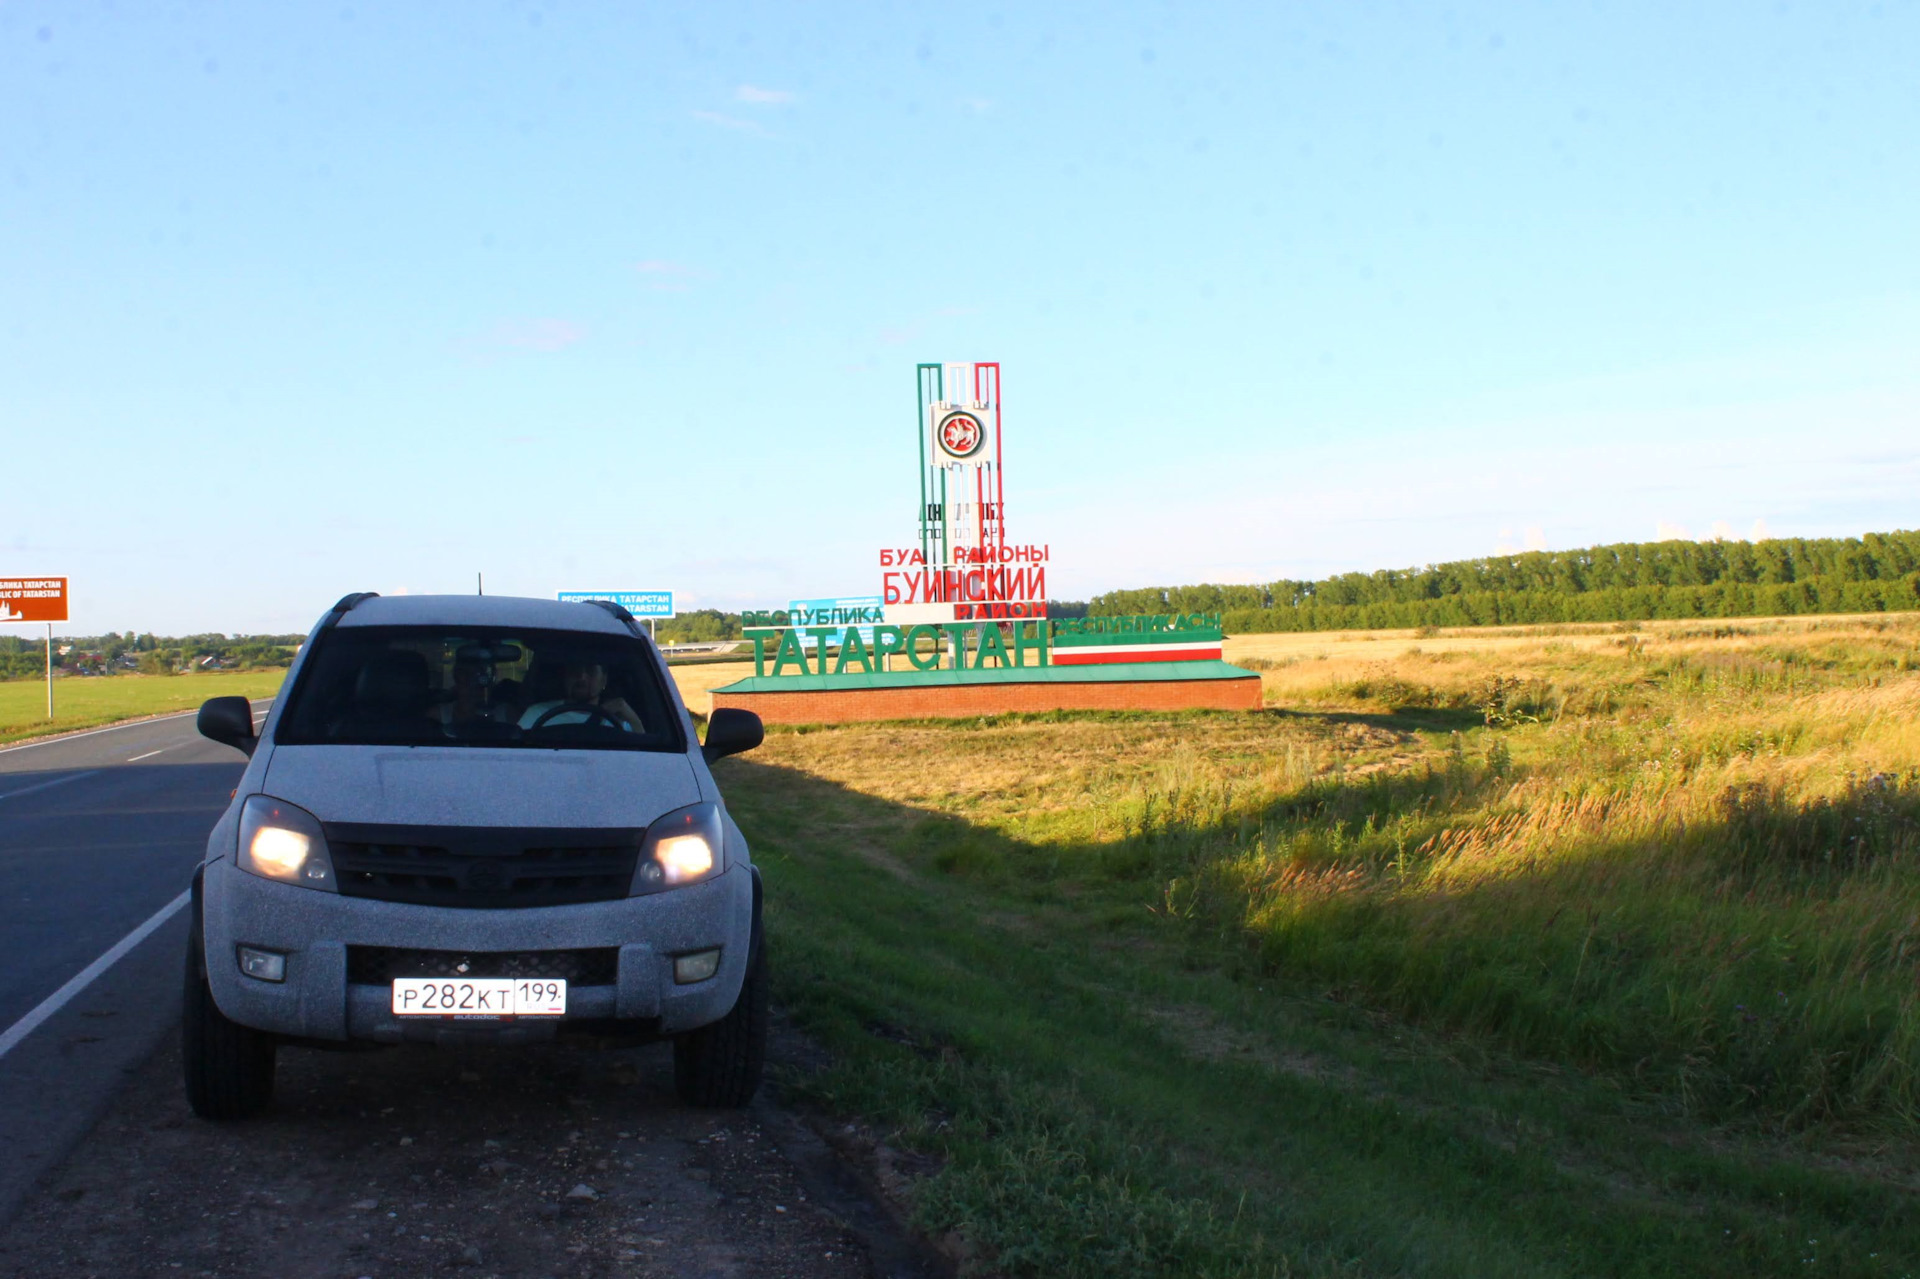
1600,585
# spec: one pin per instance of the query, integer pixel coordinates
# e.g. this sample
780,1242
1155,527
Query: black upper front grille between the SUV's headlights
483,869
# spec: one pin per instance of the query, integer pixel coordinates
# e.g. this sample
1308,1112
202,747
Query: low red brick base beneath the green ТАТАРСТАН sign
963,700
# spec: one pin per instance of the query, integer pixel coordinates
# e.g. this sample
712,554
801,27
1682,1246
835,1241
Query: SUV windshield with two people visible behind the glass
464,687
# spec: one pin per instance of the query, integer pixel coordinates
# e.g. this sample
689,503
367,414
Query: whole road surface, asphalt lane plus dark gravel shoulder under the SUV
404,1163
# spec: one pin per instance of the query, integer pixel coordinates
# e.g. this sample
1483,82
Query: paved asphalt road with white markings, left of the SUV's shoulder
99,834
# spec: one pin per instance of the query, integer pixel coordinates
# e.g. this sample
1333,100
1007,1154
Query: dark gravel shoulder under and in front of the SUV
421,1163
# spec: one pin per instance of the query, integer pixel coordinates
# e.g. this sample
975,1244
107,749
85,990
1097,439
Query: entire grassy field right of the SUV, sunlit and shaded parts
1575,952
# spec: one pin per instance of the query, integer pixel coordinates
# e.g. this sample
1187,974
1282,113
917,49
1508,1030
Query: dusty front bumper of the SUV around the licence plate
314,930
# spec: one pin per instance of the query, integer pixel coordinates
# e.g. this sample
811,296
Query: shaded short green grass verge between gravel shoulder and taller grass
1097,1098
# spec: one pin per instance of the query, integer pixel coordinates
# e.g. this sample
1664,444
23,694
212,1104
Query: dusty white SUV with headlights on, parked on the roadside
475,819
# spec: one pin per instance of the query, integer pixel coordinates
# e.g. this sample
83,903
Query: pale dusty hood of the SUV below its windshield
471,786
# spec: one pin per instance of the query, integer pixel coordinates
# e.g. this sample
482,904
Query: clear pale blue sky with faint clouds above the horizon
299,301
